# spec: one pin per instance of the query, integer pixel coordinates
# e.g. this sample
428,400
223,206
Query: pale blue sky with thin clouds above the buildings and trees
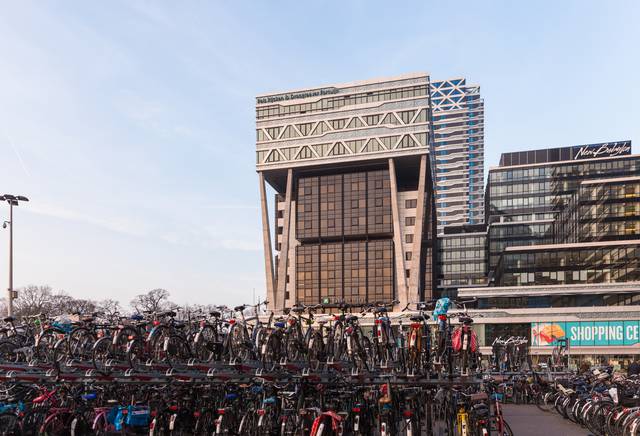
130,125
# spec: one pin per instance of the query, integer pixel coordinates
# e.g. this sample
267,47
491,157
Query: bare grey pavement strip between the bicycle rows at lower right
528,420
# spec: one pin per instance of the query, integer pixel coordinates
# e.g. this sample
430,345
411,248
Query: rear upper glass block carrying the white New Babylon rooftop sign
528,191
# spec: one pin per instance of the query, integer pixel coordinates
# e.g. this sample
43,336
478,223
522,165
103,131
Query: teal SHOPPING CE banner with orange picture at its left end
586,333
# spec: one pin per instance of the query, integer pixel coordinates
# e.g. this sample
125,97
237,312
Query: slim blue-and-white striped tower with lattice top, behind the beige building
458,127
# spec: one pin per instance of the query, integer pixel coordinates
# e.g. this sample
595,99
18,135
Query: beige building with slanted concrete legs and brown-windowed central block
354,211
